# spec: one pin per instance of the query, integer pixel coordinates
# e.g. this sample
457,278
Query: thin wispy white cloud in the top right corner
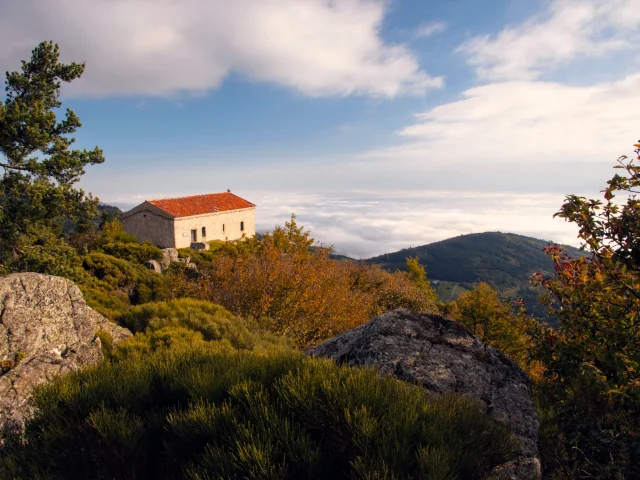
567,30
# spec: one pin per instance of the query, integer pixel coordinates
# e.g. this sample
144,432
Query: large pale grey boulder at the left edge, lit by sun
46,329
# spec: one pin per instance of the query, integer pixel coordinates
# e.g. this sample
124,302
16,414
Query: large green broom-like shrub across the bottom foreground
209,411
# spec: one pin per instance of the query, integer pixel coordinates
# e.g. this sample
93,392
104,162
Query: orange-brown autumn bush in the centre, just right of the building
300,293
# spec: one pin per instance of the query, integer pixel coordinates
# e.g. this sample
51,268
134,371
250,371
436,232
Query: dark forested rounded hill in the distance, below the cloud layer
503,260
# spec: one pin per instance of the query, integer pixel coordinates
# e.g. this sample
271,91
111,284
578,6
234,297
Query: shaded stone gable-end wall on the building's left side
147,222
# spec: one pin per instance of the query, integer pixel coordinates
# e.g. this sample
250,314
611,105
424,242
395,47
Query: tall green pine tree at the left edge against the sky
38,167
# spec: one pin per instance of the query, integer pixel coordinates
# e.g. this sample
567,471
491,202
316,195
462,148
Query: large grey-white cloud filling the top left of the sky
164,47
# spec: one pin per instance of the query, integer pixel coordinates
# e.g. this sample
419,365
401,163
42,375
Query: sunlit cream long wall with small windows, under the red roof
213,223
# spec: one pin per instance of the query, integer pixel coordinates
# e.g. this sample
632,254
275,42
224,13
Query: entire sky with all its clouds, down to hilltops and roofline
381,124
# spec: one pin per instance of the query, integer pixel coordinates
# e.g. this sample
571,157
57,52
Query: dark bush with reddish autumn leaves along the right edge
590,391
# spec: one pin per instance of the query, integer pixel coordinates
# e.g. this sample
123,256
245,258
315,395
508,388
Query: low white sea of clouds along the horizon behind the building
363,224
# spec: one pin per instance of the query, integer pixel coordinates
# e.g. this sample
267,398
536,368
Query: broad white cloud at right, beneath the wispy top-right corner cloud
503,123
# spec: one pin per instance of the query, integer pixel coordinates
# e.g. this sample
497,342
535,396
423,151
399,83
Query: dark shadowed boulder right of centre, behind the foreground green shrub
442,356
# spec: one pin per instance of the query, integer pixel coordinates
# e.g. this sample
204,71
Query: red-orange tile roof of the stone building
201,204
